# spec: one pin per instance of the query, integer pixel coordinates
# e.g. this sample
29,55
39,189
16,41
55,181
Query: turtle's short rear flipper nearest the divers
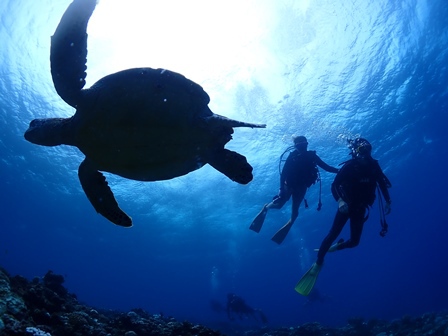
231,164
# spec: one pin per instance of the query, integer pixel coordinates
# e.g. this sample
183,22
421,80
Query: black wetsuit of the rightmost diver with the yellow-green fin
356,184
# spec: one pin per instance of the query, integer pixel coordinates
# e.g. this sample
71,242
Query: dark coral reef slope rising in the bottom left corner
43,307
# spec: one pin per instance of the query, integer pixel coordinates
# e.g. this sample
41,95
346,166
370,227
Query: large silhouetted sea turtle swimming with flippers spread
142,124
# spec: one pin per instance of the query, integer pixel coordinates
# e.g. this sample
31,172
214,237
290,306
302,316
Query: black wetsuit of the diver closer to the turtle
298,174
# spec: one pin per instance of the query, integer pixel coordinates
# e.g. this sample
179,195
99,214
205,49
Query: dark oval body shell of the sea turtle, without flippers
146,124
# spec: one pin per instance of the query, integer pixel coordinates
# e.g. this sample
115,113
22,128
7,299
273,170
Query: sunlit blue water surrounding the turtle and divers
329,70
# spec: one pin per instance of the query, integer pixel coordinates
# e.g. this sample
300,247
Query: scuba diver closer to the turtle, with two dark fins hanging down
298,174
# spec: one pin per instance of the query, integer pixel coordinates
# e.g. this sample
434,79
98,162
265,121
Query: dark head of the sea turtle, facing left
48,132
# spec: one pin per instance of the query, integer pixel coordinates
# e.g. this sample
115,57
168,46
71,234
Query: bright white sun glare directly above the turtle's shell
214,38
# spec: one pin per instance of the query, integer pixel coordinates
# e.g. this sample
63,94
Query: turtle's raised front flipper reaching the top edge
68,55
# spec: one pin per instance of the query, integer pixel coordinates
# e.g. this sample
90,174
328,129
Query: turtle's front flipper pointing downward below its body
99,194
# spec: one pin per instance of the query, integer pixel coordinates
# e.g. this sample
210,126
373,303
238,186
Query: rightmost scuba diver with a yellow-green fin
354,189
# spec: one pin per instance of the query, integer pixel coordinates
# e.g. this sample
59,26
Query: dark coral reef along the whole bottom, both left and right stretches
44,307
